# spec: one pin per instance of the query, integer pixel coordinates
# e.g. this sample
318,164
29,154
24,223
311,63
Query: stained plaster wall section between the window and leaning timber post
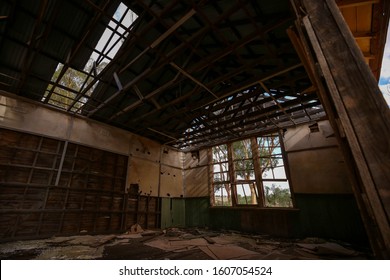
315,161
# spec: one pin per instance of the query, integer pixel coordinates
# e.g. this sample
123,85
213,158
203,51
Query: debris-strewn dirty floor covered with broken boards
180,244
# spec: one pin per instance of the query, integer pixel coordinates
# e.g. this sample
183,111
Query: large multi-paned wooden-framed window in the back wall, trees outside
250,172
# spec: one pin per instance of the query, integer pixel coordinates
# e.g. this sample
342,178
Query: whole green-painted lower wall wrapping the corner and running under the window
317,215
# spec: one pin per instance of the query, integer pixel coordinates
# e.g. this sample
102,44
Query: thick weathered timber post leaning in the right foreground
360,106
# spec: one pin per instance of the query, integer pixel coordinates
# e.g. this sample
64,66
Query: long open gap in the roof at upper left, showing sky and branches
69,88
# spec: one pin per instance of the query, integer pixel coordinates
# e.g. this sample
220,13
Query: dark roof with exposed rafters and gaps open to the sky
188,74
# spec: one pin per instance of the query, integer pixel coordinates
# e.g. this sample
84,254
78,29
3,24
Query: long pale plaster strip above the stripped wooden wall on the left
31,118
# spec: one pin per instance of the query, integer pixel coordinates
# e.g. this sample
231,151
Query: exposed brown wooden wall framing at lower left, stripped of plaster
35,206
